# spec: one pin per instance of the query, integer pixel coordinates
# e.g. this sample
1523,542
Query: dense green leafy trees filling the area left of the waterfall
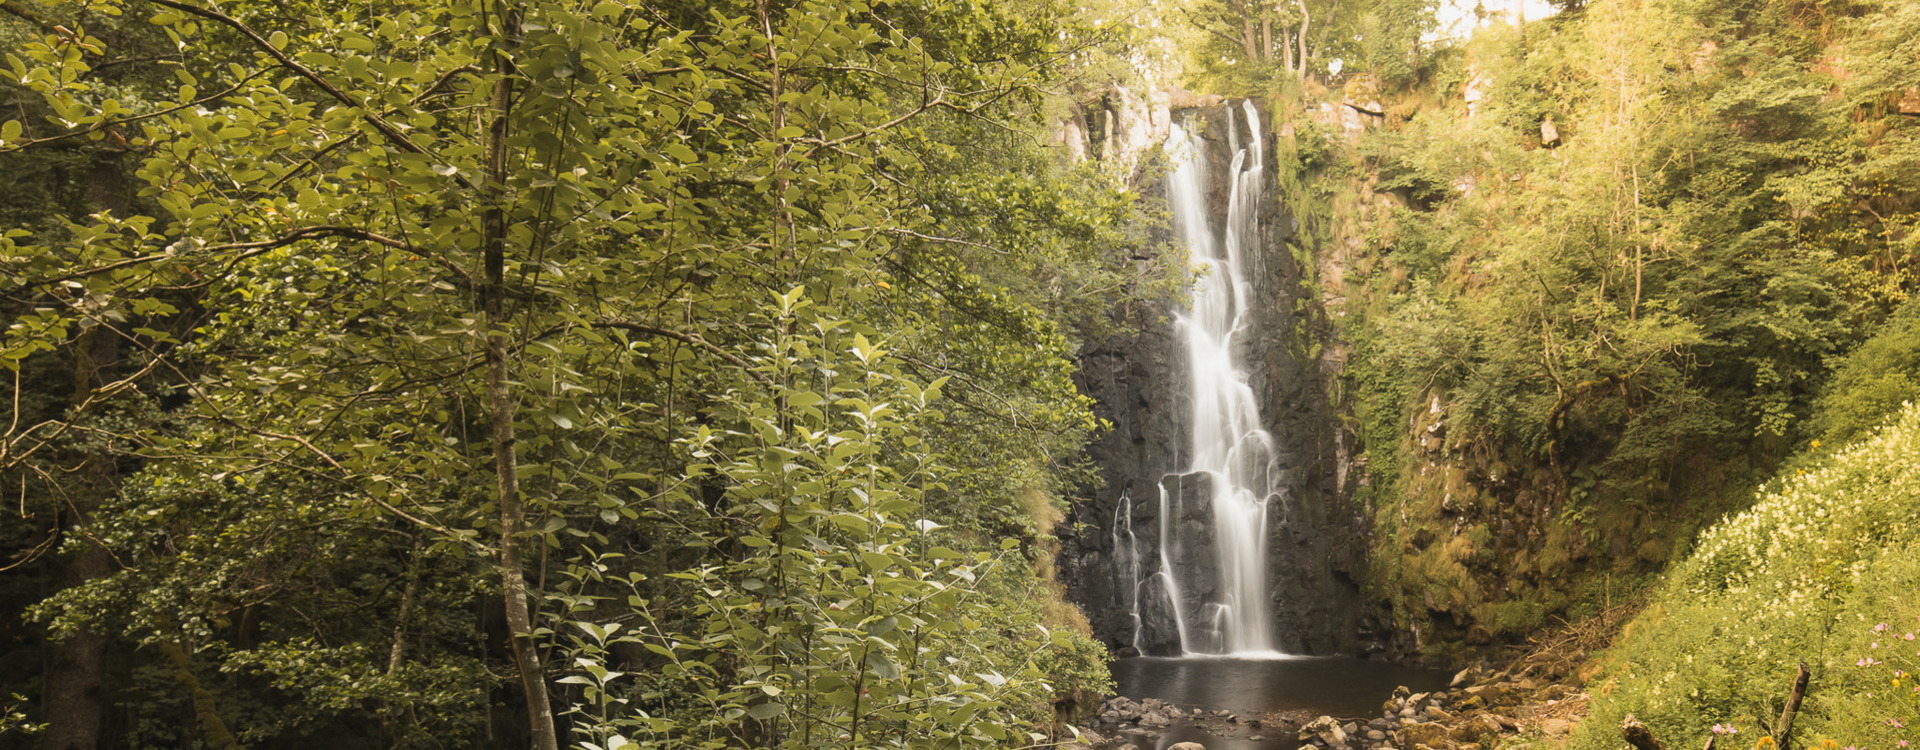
423,300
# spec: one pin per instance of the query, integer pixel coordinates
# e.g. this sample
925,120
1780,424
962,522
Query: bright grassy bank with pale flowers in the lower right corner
1806,574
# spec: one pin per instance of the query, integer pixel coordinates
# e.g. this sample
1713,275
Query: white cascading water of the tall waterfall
1232,456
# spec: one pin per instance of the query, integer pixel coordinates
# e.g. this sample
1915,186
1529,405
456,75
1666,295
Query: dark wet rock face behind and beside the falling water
1140,385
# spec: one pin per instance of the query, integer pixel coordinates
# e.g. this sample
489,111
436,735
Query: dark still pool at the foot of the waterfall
1257,688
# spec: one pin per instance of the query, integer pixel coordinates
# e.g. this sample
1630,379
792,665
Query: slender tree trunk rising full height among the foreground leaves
504,406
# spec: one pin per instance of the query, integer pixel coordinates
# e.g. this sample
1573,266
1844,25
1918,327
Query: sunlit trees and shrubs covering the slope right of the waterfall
1598,344
